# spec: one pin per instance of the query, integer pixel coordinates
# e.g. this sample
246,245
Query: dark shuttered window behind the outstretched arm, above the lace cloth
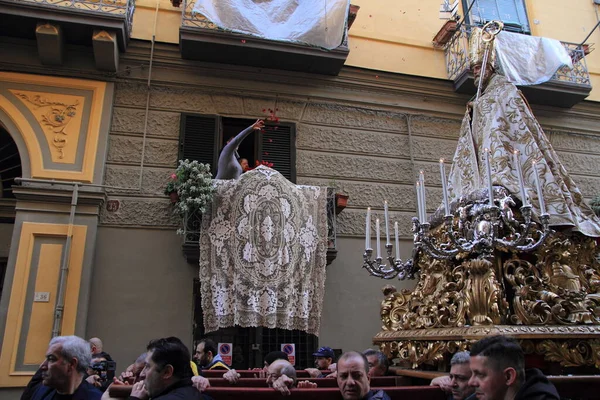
203,136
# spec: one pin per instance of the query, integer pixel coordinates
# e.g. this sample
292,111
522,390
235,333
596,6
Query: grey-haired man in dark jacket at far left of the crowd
63,371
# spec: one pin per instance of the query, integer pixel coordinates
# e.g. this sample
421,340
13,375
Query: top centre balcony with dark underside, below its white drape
202,40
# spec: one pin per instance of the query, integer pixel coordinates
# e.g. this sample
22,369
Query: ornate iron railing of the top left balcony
112,7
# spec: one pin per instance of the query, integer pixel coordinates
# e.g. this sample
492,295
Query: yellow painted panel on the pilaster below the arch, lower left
41,317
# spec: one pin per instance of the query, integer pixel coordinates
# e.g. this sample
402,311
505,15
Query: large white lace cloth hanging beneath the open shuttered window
263,252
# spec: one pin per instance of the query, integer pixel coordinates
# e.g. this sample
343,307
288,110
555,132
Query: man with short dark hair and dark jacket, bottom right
498,368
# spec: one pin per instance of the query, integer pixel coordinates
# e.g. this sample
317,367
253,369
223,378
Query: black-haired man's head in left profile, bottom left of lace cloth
167,361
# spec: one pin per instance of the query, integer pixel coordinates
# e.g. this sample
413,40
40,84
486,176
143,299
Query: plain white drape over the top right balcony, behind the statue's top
530,60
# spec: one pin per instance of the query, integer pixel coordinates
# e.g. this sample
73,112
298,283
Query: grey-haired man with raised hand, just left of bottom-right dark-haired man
457,383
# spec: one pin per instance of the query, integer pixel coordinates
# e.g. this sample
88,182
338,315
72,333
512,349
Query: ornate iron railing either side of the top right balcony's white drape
457,60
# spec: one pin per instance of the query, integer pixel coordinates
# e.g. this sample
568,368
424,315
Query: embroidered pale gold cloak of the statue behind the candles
504,124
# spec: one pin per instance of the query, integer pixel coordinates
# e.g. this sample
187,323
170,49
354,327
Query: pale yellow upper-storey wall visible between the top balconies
395,36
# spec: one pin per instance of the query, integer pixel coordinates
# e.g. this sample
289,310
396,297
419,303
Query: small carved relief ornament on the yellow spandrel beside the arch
55,118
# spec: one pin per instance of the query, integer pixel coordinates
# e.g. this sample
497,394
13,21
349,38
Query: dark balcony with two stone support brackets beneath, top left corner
103,24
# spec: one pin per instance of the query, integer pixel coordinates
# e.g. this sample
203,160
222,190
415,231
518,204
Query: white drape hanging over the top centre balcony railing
315,22
